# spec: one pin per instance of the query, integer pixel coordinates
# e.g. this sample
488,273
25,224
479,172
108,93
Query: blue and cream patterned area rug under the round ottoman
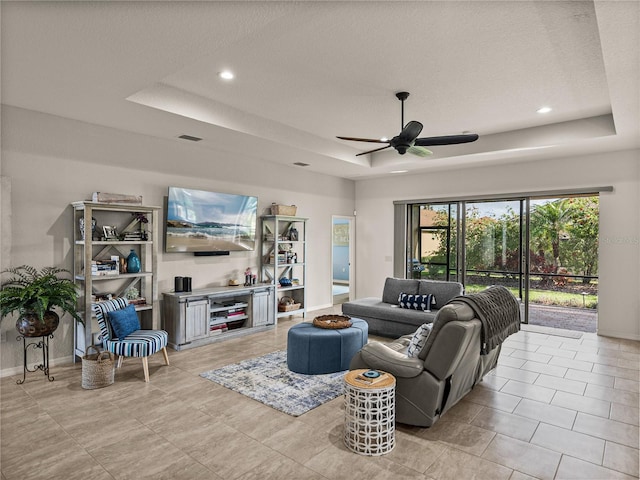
268,380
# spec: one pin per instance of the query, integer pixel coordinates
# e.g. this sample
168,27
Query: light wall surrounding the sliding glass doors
619,262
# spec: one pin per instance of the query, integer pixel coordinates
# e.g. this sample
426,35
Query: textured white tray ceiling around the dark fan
308,71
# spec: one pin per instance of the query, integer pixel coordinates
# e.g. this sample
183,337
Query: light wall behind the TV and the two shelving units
48,162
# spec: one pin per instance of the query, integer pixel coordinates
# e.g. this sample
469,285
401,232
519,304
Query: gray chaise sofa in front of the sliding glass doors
386,318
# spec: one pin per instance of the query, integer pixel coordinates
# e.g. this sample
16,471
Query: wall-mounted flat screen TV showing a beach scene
209,222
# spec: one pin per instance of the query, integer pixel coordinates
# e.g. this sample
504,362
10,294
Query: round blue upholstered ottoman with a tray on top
313,350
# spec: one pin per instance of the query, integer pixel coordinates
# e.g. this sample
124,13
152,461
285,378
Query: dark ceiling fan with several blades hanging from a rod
407,140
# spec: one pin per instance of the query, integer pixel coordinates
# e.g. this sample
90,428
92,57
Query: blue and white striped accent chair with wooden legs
141,343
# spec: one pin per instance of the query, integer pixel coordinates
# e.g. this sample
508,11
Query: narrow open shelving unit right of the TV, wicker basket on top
283,260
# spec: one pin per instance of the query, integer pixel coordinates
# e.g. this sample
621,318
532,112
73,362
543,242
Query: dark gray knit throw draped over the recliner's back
499,312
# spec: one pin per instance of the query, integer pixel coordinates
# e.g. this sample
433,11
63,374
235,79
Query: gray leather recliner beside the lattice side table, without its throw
444,371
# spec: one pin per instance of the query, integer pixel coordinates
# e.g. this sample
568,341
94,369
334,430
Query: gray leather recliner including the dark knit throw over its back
462,347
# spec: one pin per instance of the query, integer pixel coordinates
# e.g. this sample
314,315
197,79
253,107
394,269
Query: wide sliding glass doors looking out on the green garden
545,250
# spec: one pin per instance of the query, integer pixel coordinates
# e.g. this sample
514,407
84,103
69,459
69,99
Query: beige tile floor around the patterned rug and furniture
554,408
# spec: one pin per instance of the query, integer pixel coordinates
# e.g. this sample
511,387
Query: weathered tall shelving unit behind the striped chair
93,247
